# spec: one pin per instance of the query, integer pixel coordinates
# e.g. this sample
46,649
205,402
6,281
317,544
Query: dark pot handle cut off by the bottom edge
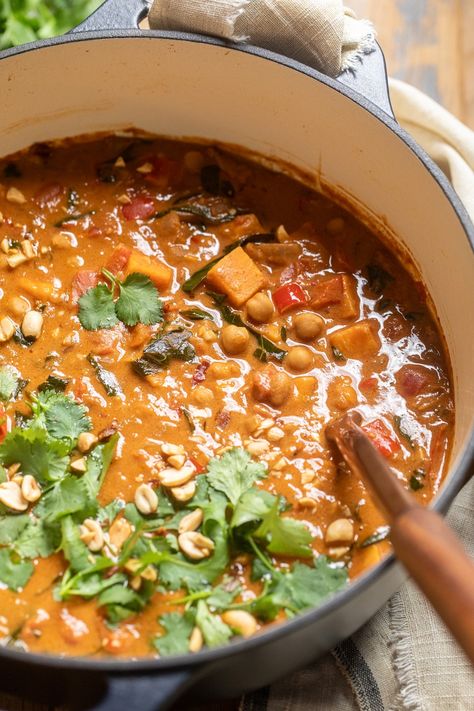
147,692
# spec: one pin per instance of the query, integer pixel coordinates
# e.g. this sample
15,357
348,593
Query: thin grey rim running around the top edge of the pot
457,477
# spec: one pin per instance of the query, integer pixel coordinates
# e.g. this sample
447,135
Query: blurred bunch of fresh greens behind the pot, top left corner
27,20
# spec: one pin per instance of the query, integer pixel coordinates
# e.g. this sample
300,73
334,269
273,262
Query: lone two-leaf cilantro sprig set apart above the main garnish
134,300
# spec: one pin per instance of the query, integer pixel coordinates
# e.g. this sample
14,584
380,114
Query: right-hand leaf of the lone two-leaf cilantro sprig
138,301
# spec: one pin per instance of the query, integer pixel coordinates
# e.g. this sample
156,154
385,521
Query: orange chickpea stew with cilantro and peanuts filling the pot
178,326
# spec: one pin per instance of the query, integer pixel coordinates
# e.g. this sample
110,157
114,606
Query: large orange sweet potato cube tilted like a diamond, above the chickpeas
237,276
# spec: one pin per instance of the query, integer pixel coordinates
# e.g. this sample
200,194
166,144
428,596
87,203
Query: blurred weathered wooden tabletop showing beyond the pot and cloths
428,43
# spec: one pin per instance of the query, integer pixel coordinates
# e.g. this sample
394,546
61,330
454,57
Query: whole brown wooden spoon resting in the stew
421,539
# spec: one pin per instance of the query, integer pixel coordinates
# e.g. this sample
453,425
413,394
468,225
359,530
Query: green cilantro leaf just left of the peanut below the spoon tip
285,536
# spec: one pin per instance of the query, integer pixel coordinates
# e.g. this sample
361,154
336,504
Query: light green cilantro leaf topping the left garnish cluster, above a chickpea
63,418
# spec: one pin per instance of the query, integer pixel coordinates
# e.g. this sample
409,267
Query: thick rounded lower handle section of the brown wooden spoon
438,564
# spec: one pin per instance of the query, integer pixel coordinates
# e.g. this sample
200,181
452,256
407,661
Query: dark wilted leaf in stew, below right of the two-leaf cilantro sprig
172,345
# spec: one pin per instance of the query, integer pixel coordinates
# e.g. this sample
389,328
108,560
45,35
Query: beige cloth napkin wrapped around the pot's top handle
320,33
